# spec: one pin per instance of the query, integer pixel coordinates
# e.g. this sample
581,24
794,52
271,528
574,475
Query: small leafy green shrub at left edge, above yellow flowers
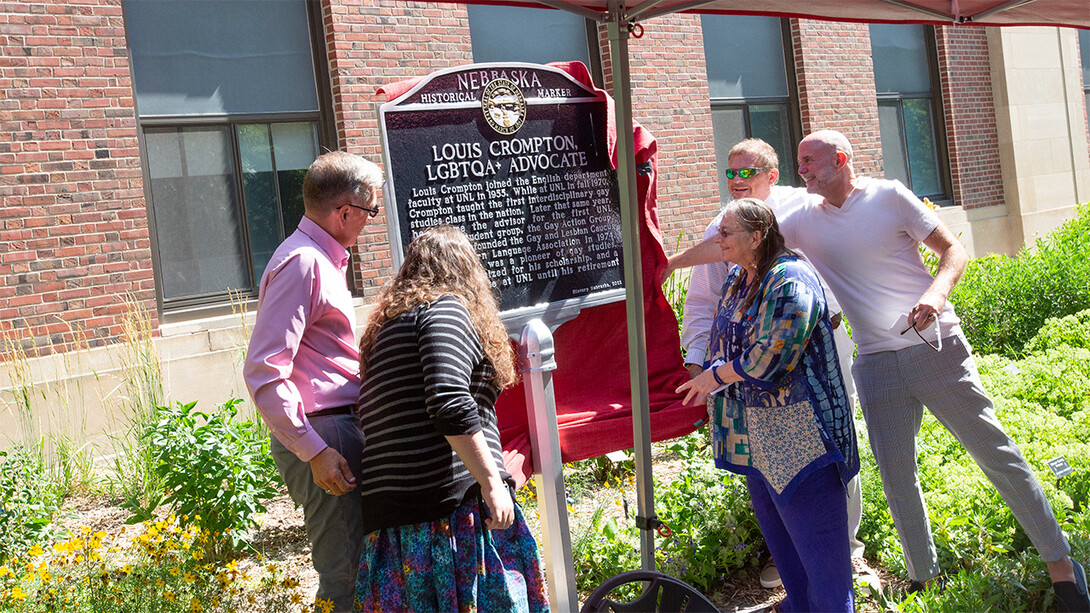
29,502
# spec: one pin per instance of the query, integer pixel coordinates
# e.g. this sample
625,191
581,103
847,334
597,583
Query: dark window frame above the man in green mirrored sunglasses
791,103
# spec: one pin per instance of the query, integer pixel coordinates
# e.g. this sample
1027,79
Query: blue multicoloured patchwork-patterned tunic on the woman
790,416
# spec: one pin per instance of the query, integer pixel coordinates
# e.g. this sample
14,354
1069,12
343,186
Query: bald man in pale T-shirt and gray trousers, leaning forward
864,238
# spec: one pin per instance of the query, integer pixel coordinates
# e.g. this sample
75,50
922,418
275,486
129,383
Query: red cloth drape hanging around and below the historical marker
591,383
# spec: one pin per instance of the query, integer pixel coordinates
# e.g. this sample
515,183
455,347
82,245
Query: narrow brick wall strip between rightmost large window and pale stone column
972,136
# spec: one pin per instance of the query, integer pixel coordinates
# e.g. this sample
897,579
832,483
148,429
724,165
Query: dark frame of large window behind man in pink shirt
223,302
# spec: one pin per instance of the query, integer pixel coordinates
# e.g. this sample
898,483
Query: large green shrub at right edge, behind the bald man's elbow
1003,302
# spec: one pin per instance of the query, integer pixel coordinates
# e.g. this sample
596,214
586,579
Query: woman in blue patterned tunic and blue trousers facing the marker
780,412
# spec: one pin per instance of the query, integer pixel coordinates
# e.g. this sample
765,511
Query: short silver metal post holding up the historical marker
537,364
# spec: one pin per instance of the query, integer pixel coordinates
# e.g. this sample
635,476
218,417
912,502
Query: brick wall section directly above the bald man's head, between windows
837,87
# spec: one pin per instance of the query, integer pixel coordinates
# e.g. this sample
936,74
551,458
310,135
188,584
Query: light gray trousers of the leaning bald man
894,387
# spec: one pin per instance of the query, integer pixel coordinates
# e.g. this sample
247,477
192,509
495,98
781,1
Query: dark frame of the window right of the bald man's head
938,119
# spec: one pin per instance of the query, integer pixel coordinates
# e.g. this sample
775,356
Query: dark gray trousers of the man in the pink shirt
334,524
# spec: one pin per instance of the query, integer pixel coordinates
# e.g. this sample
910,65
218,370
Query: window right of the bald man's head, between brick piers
911,117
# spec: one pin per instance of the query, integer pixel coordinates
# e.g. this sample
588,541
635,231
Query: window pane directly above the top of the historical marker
541,37
